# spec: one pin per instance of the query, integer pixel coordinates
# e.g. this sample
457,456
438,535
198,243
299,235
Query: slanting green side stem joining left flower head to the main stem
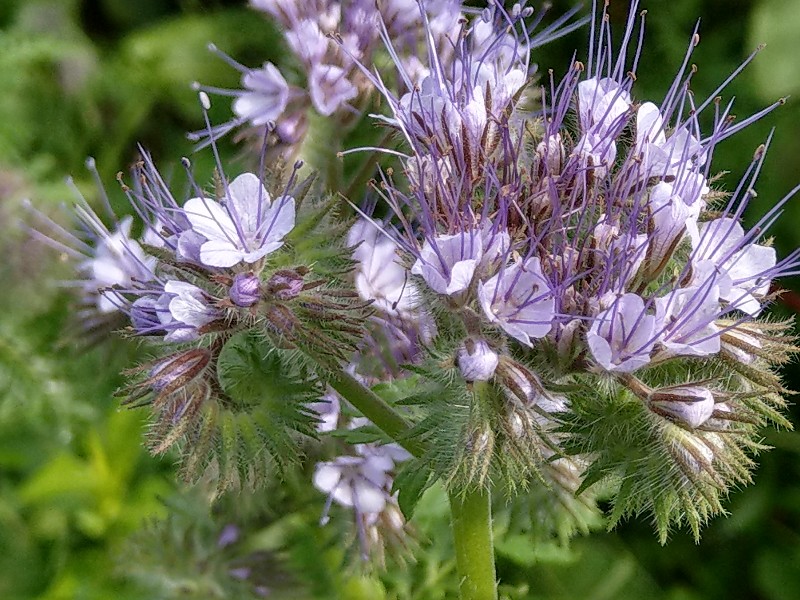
375,408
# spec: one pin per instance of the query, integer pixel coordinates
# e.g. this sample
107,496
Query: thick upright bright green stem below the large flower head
472,531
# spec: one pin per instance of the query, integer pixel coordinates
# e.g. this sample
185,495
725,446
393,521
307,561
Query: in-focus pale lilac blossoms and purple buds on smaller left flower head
229,237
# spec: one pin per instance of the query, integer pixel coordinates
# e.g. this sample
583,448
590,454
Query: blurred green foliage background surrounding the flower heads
85,78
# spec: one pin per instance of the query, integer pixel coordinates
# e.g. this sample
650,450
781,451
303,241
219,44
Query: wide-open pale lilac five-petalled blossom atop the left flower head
244,227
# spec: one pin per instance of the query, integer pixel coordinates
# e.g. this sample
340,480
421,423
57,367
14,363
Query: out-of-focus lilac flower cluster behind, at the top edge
329,39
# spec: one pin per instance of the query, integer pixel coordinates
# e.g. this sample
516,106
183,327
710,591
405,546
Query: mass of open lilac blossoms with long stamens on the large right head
597,229
